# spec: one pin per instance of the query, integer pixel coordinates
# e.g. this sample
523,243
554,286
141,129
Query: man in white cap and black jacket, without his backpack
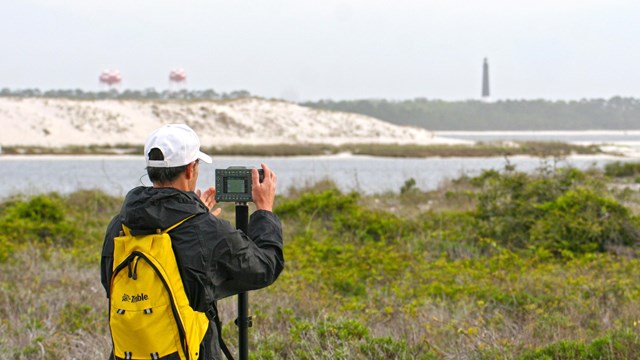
214,259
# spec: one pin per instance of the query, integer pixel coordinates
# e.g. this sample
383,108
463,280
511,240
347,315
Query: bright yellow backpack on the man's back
149,313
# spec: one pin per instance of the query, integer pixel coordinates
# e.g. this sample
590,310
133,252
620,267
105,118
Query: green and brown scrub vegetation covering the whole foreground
504,265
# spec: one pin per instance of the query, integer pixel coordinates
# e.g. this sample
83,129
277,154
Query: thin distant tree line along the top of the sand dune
146,94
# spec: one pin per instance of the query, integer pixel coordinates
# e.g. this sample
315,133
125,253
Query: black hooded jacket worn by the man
215,259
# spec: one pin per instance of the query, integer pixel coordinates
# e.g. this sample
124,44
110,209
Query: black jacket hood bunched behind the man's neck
146,209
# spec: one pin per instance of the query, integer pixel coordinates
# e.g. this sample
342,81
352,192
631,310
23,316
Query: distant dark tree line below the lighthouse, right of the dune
587,114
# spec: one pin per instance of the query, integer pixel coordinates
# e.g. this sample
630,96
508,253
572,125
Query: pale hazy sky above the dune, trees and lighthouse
307,50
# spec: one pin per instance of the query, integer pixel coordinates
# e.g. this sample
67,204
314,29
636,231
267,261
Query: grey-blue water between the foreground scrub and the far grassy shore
117,174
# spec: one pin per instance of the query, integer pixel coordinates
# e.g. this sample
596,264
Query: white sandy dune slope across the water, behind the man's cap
59,122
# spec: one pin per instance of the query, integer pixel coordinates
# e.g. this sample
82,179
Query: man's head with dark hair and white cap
172,153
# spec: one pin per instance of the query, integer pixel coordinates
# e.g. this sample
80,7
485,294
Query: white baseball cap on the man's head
179,145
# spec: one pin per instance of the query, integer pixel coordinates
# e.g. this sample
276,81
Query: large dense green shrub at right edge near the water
557,210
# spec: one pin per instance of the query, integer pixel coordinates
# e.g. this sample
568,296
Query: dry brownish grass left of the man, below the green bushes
51,308
